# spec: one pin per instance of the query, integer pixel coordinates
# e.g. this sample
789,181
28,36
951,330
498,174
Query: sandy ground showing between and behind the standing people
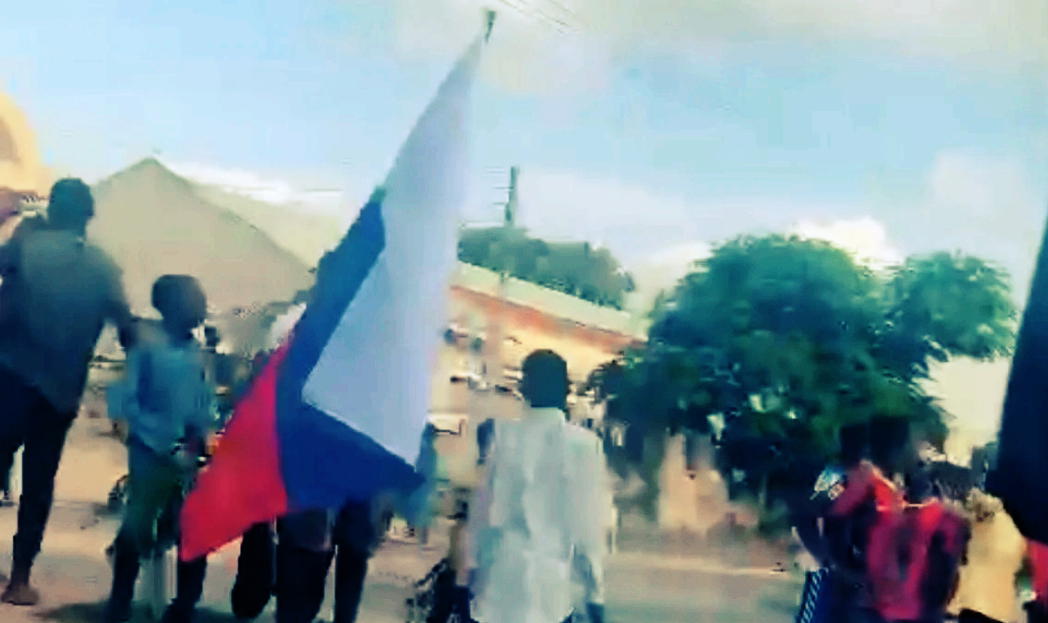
648,583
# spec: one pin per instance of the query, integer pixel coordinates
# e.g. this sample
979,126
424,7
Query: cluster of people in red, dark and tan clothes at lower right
896,546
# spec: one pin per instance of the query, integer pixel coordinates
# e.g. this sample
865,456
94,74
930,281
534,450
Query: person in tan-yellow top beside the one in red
995,556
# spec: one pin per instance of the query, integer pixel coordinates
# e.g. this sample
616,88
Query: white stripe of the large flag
375,373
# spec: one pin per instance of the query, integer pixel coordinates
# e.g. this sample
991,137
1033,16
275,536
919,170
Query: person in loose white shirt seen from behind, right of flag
539,523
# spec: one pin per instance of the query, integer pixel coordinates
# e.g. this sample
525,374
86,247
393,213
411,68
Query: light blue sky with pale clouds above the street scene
683,123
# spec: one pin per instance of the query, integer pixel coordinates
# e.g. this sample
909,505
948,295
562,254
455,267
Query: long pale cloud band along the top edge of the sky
554,46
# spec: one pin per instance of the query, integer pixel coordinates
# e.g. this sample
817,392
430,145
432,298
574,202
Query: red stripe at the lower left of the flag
244,485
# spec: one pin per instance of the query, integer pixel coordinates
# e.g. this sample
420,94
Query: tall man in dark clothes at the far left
57,294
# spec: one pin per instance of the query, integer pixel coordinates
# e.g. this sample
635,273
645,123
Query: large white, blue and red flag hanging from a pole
338,412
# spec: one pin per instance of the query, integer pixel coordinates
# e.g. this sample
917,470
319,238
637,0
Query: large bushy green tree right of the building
783,341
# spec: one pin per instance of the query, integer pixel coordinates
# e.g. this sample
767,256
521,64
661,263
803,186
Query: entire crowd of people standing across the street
893,546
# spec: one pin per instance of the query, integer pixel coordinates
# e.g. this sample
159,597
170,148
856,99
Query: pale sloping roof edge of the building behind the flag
552,303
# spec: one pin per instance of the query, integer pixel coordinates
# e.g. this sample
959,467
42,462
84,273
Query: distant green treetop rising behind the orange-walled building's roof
576,269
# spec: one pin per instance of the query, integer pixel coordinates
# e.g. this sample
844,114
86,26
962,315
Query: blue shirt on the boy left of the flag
166,396
